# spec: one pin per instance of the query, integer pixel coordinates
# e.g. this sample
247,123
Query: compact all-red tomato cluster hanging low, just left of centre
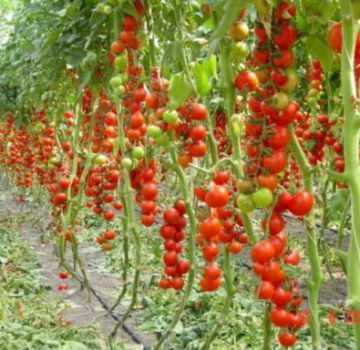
173,232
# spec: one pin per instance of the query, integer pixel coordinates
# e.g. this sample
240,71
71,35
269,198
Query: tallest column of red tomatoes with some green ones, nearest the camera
268,138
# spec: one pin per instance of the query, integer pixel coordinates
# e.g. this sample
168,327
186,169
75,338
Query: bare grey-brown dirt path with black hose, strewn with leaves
82,308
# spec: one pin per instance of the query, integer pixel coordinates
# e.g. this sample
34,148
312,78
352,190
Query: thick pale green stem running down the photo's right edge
351,155
